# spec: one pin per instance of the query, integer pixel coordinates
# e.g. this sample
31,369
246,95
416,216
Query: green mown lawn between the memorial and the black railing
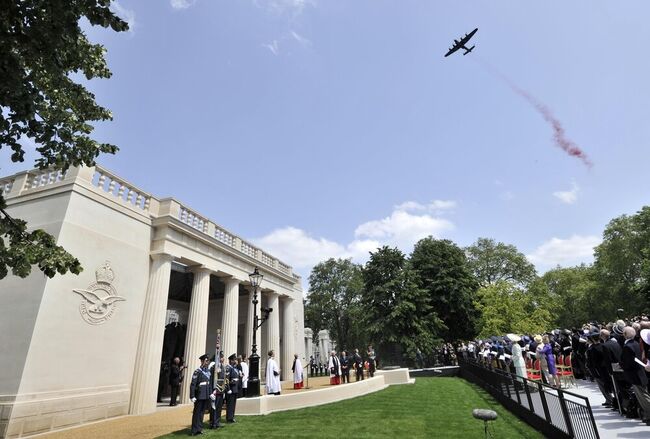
431,408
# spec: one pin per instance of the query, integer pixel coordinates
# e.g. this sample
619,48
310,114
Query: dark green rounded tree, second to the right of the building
397,314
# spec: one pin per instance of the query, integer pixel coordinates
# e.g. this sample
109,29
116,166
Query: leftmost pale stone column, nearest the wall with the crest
144,387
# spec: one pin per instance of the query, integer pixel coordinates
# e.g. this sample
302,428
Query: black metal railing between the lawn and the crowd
555,412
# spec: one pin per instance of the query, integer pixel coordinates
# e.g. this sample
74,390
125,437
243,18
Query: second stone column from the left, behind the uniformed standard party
197,324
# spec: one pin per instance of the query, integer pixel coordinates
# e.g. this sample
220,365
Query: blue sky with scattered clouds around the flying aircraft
325,128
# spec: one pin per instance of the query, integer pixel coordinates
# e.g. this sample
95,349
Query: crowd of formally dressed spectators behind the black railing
614,355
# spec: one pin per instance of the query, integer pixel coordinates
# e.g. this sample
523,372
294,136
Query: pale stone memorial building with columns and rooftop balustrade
159,281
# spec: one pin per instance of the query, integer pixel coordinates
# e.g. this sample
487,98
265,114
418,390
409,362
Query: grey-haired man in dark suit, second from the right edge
634,373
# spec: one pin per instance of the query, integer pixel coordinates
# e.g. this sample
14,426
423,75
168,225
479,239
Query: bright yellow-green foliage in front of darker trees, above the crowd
506,308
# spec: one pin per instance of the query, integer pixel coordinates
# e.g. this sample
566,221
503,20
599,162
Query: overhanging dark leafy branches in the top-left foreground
41,46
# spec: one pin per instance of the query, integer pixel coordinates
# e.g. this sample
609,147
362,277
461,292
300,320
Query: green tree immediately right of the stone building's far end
333,301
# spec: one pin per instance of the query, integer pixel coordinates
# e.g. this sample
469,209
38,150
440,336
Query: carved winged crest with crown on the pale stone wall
100,297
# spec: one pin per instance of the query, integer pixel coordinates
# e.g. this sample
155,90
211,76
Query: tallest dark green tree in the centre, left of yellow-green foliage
442,270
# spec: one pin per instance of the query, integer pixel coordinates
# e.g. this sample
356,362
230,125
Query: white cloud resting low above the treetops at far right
571,251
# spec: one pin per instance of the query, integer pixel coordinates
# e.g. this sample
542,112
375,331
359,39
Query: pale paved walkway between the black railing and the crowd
610,423
